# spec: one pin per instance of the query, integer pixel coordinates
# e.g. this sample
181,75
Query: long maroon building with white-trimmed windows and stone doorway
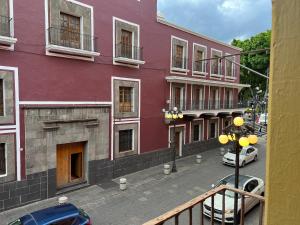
83,85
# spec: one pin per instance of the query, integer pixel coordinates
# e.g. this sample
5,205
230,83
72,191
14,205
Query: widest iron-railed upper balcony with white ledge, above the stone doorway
69,42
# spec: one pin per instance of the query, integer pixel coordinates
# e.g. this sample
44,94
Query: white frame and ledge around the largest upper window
66,52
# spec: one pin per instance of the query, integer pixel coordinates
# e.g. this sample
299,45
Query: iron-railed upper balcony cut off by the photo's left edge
6,35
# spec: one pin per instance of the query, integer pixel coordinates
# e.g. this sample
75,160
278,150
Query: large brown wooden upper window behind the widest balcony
69,30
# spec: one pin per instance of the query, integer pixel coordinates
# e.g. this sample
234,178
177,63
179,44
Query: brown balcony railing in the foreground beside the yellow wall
175,214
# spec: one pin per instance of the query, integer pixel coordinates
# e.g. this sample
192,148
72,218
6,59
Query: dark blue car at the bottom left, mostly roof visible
65,214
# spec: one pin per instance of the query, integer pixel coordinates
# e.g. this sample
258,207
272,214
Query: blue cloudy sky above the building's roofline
223,20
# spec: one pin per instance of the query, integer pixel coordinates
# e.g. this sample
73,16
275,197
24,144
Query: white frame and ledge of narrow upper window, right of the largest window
121,61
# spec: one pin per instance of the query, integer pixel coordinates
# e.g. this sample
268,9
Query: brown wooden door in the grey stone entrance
70,164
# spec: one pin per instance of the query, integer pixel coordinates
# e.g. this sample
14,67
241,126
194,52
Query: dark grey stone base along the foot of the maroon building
42,185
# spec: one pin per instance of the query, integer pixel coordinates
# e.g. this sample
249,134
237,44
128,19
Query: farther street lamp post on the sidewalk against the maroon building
173,115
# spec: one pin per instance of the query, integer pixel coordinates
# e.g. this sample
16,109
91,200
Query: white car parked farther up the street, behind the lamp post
247,154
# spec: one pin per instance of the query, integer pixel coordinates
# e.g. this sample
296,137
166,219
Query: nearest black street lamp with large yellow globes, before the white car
240,134
